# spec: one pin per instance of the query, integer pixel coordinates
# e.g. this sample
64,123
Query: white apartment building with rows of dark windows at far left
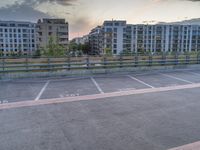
17,38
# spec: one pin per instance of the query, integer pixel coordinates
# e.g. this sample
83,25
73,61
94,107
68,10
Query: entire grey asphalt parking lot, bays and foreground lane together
151,110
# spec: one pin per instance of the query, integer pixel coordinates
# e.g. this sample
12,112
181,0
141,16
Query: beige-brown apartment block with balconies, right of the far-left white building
55,28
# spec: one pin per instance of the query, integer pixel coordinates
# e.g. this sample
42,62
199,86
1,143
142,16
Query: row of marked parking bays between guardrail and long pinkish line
39,89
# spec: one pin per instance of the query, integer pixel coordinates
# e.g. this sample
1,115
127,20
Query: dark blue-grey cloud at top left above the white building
26,10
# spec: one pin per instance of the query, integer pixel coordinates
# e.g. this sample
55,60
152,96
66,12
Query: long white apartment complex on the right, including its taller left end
119,37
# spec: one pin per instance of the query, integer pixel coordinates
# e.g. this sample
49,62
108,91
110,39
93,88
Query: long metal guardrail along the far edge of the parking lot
47,64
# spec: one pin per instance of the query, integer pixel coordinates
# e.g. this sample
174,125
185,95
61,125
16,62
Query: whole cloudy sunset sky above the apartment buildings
83,15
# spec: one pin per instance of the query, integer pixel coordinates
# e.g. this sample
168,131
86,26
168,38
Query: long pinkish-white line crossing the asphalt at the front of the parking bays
31,103
